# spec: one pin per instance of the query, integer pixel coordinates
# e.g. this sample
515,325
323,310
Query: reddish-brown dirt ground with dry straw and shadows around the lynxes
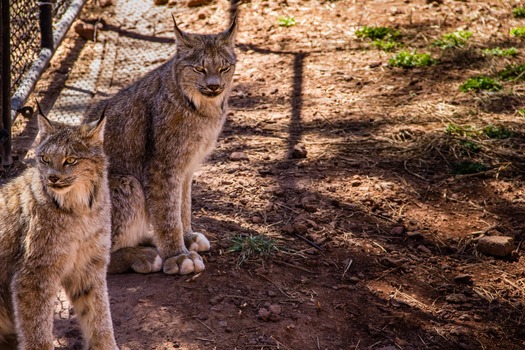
344,162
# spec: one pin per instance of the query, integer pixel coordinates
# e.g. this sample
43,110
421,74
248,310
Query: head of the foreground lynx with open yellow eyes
71,161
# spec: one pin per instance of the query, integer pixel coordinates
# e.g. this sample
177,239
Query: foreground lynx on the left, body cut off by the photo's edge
55,231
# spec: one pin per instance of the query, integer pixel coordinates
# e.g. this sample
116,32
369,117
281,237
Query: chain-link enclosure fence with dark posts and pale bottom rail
30,32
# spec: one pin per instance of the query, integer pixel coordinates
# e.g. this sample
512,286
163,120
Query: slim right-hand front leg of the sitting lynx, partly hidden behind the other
194,241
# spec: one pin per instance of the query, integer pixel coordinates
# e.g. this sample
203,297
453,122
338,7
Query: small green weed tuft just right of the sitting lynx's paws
252,247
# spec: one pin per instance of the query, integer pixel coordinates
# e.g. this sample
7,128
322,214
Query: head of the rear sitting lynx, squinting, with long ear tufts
206,64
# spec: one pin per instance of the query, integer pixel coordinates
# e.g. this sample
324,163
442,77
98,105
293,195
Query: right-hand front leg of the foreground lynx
88,293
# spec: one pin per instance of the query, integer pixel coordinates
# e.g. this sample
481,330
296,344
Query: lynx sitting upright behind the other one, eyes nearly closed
159,130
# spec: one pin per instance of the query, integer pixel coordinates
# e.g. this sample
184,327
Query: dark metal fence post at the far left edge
5,75
